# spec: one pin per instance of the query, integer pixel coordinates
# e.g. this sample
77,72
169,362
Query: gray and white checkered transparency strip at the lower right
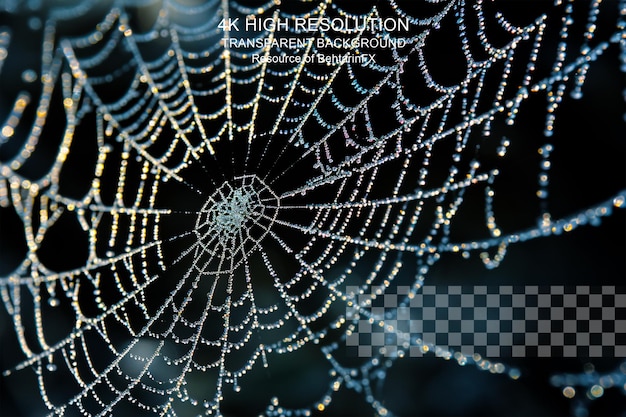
495,321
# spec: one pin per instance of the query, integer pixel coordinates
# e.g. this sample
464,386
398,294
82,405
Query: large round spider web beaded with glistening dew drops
180,218
